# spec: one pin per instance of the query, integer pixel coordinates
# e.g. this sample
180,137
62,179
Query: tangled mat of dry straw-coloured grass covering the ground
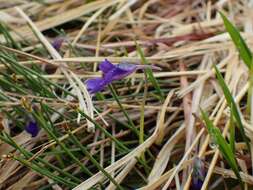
184,38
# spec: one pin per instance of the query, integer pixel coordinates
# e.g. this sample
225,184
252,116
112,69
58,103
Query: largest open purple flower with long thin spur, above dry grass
111,73
